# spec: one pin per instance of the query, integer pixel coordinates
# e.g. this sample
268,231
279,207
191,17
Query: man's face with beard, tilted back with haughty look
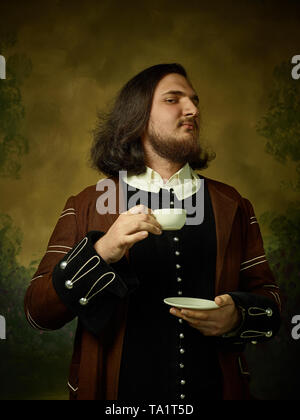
173,127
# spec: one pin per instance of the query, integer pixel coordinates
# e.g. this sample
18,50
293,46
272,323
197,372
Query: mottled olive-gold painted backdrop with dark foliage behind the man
62,62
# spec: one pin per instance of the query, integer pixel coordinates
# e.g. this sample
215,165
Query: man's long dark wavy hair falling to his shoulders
117,137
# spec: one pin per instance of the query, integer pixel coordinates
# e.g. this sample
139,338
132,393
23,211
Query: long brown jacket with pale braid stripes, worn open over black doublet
241,266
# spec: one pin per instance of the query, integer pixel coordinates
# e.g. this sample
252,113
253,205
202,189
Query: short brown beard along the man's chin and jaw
175,149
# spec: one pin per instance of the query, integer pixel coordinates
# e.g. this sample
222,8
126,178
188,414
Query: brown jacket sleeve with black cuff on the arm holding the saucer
258,297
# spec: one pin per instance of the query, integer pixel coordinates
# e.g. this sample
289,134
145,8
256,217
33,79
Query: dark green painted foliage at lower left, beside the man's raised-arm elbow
34,364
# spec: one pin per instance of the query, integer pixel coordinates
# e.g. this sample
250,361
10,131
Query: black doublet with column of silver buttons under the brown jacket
164,359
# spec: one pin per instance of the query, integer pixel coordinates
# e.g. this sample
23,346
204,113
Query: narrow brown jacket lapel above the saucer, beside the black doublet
224,209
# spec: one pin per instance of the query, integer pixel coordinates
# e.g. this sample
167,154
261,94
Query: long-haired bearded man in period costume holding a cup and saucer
118,266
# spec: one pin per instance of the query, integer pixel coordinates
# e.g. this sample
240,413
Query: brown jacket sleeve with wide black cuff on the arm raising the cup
73,280
